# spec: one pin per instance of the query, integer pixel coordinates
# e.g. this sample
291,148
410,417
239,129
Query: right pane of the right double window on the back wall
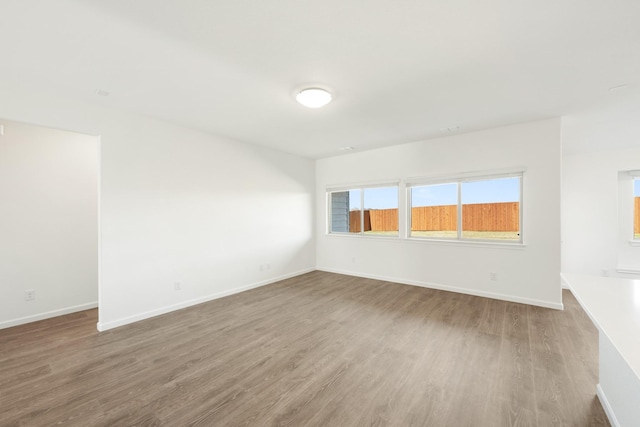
491,209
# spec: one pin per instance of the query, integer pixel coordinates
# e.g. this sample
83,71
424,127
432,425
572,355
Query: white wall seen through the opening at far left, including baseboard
48,222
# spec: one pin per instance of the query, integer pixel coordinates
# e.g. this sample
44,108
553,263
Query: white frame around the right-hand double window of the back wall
459,180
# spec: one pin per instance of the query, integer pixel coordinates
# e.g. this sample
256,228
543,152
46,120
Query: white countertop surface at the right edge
614,307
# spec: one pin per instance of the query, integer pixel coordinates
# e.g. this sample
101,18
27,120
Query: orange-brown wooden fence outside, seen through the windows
477,217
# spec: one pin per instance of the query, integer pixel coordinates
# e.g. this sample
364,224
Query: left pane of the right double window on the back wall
434,211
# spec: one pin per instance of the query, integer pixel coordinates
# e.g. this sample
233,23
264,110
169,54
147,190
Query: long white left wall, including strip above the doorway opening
181,205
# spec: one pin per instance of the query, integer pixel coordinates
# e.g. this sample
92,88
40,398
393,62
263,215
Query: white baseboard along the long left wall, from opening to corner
103,326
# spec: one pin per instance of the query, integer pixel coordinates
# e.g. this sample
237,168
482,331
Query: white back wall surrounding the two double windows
529,274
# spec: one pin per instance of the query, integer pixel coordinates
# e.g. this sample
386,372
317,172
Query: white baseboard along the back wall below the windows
510,298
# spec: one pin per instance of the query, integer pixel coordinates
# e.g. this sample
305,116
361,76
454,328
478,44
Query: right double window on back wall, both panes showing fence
483,208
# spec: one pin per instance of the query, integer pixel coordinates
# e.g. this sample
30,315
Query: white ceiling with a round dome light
400,70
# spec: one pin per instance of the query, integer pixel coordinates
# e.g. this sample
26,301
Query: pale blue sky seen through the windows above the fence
496,190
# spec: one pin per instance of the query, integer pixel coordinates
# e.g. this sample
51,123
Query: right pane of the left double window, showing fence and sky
381,211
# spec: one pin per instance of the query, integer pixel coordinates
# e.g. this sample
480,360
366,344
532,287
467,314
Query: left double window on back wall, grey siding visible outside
379,216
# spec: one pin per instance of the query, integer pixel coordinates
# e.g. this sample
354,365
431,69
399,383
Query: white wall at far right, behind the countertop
598,148
